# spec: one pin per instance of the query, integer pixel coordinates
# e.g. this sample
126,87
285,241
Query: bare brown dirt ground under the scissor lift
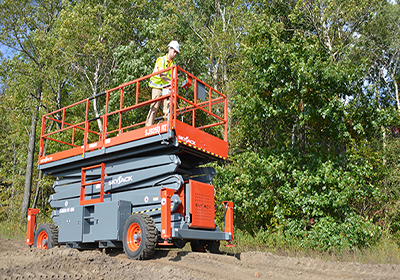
18,261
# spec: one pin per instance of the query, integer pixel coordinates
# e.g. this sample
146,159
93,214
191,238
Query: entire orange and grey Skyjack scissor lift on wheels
133,186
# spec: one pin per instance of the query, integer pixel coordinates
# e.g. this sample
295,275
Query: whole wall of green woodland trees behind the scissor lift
313,101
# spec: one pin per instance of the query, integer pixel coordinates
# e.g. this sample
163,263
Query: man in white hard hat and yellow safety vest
157,82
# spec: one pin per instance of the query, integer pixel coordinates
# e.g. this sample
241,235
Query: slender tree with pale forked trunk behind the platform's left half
88,33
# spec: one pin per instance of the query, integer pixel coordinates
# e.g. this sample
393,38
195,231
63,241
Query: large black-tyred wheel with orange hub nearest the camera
140,237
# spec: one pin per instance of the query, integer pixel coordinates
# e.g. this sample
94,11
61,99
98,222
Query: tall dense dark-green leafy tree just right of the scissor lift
295,132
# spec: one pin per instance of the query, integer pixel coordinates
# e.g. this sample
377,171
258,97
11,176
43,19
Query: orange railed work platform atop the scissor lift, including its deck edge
198,119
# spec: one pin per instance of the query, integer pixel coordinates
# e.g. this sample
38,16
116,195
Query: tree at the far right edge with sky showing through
381,47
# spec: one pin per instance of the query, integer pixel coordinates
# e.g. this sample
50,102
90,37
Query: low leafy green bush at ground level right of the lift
317,206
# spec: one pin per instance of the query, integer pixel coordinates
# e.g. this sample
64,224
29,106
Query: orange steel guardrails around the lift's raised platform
191,107
